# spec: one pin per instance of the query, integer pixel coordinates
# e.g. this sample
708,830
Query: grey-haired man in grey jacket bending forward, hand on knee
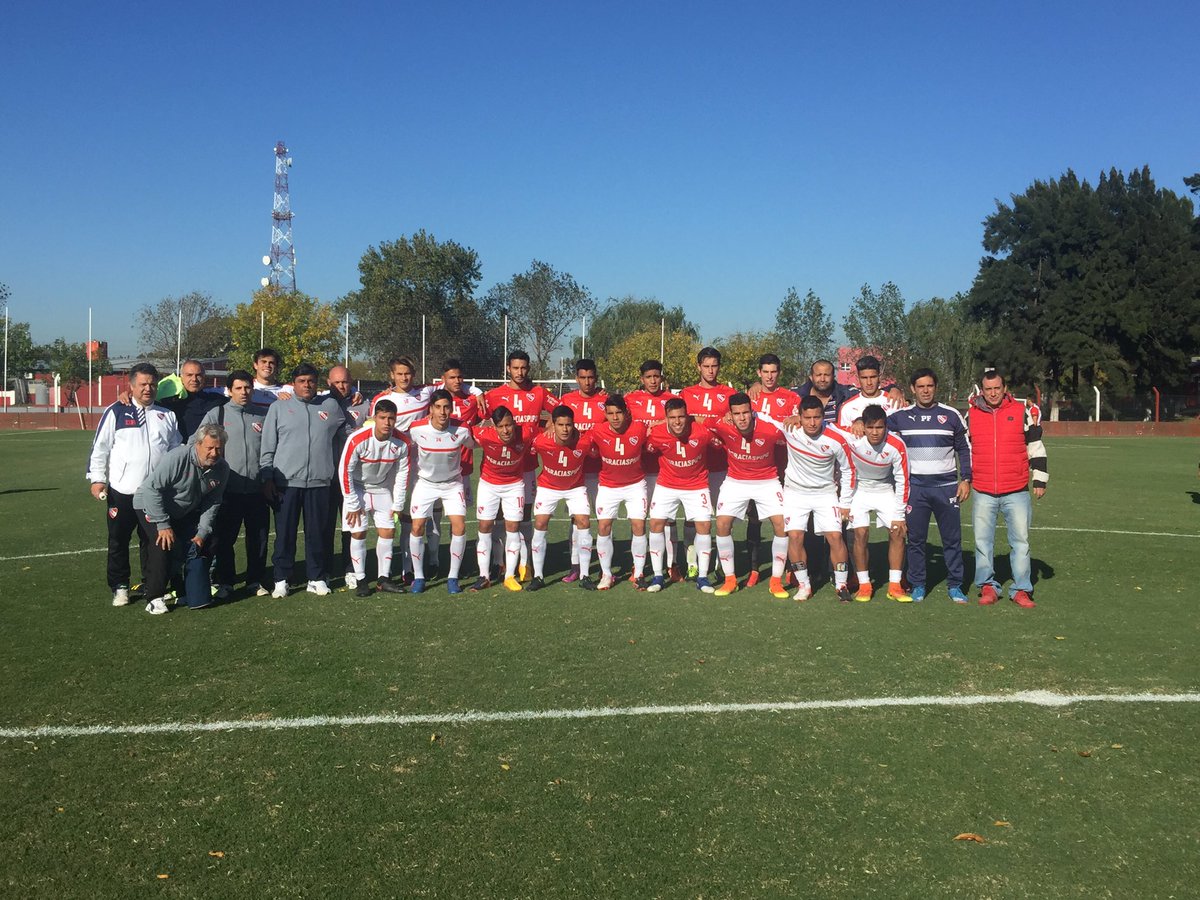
177,509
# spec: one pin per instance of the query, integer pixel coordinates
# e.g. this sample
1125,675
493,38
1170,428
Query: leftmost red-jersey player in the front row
506,449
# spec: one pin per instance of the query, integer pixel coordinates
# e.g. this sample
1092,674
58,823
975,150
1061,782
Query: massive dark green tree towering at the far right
1091,286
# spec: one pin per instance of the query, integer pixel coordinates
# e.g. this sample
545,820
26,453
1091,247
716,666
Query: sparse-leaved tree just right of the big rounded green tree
543,305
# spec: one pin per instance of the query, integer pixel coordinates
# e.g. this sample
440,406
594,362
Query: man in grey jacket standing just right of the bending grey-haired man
245,502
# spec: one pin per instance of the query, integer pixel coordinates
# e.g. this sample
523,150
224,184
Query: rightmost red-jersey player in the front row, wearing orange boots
753,481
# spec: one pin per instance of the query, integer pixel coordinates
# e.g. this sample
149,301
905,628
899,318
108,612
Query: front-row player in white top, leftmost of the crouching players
374,478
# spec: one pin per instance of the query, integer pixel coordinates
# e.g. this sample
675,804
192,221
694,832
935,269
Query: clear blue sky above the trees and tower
705,154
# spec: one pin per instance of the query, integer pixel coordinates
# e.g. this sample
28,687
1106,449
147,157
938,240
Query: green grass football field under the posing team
1090,800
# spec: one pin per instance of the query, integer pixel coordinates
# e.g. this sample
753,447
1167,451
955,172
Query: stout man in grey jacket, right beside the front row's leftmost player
298,472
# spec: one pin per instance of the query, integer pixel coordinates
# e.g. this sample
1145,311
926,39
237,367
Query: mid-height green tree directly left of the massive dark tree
944,338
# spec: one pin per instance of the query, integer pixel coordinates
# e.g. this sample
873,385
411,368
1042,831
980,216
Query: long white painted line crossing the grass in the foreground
1042,699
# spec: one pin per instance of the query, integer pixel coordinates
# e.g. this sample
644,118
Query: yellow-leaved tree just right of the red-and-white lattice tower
299,327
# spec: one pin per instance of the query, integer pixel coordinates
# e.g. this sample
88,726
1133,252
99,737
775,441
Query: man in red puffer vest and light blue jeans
1006,441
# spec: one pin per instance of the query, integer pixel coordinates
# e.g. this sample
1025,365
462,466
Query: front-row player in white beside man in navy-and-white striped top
881,463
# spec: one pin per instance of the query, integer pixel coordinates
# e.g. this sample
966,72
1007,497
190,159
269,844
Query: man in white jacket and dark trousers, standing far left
130,441
